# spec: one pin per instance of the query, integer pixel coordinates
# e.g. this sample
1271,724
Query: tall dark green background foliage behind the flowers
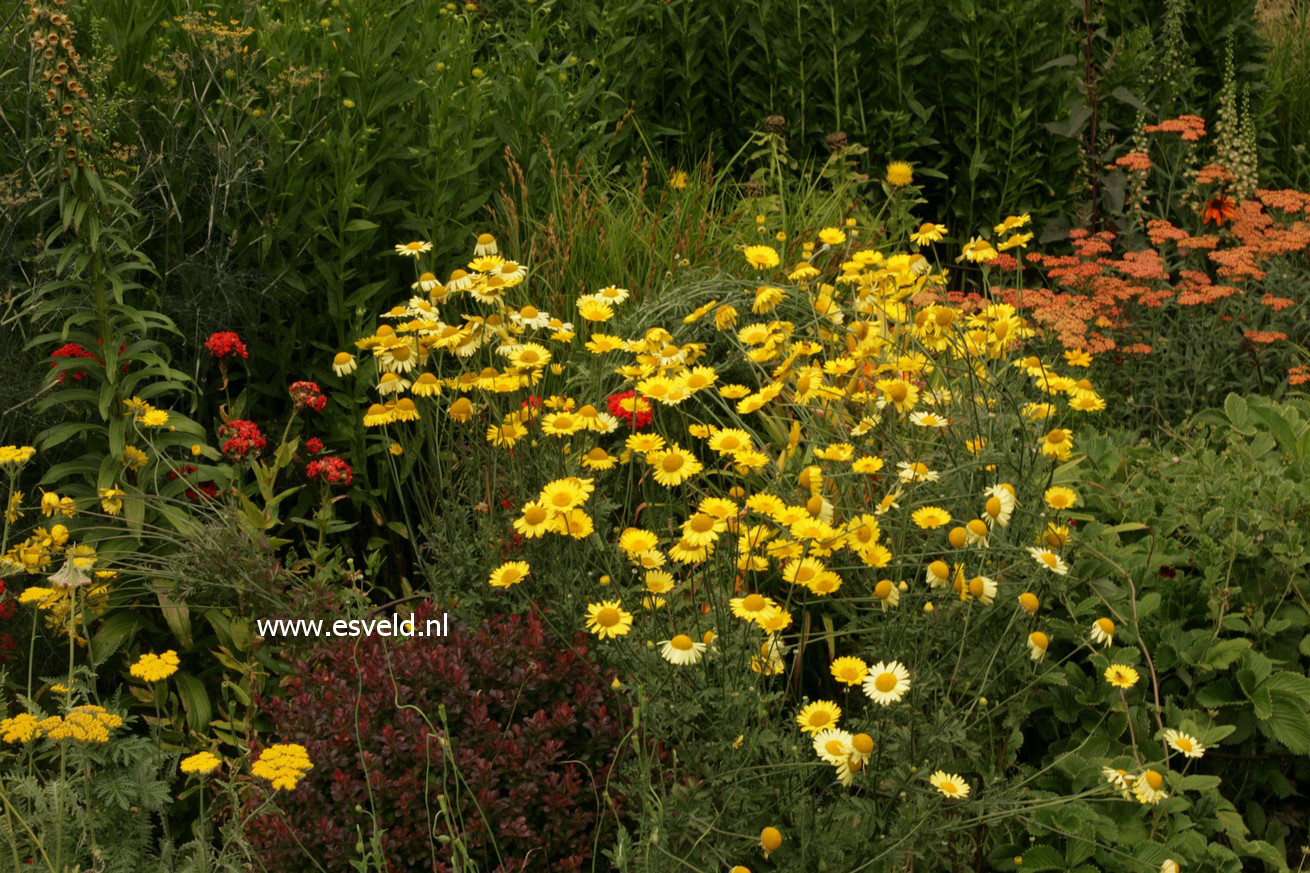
274,150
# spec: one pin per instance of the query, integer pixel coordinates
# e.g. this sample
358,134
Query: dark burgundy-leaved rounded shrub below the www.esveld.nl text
530,726
